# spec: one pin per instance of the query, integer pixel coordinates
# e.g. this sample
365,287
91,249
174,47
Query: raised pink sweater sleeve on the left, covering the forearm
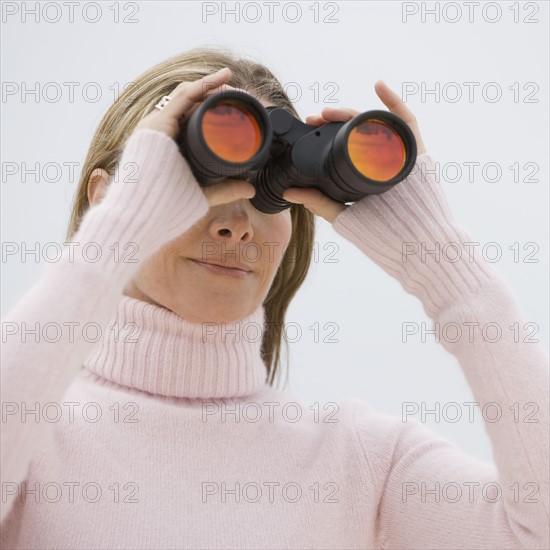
152,199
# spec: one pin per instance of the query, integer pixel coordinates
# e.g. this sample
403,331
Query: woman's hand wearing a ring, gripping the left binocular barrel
185,98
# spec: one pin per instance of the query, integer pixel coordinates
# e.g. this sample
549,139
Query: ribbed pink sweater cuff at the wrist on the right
410,232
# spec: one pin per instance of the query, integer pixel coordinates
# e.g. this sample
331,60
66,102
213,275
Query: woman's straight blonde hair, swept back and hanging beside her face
138,100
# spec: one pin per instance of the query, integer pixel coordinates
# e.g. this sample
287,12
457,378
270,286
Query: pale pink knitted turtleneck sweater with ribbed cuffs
125,426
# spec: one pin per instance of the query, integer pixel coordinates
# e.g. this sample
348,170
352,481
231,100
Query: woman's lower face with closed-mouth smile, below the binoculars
180,277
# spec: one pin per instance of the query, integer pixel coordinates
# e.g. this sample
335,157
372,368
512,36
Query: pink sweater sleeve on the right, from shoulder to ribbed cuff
430,494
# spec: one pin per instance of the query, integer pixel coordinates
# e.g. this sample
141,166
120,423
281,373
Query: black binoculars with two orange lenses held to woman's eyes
232,135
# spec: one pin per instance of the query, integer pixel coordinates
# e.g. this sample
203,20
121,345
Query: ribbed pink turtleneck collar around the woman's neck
150,348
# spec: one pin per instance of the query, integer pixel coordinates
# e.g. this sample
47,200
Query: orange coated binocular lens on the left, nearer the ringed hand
231,132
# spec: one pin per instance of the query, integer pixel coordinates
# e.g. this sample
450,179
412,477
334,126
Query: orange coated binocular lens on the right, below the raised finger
376,150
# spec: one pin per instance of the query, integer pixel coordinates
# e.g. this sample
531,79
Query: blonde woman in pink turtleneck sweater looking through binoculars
165,430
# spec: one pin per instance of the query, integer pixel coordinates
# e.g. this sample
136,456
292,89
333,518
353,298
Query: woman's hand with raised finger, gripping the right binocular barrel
316,201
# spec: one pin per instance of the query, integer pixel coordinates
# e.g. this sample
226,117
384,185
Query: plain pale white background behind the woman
367,41
